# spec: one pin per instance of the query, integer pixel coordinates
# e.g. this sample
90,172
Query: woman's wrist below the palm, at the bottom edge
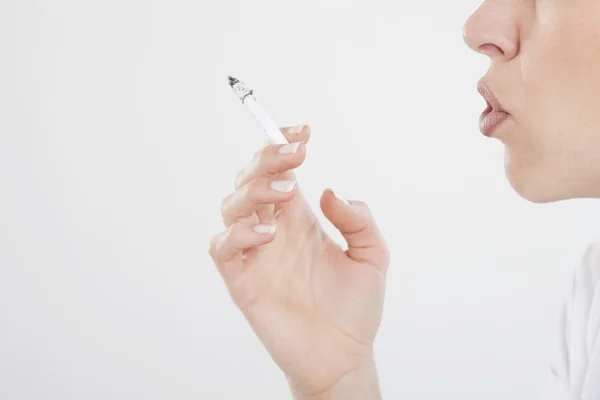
359,384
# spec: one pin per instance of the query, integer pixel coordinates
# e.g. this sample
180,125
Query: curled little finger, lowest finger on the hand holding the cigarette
239,238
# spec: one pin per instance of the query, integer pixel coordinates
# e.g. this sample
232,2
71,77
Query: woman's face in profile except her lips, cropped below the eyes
545,73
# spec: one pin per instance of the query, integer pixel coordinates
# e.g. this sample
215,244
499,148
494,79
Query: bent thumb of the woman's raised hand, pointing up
356,223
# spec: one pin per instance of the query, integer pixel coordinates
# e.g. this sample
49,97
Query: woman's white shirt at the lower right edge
575,374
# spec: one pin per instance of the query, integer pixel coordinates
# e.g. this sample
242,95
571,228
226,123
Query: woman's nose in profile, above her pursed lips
493,30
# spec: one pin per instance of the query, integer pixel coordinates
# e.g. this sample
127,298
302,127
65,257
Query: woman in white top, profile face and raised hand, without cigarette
317,308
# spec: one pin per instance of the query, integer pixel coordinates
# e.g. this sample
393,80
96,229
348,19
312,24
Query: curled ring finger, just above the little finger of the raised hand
254,196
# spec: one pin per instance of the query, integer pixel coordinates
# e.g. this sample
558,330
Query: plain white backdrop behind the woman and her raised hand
119,136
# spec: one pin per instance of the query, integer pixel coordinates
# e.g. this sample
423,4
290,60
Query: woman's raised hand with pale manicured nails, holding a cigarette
315,307
